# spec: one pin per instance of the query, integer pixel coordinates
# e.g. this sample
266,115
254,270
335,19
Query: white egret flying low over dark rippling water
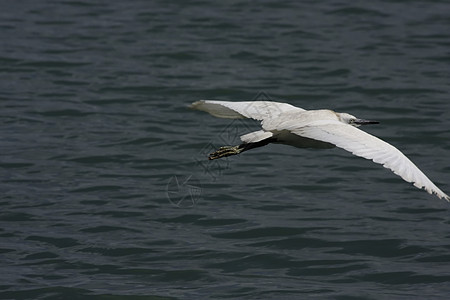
286,124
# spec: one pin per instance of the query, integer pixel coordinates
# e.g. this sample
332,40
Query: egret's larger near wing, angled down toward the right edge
368,146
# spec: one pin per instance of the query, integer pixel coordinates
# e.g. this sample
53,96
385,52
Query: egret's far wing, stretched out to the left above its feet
258,110
